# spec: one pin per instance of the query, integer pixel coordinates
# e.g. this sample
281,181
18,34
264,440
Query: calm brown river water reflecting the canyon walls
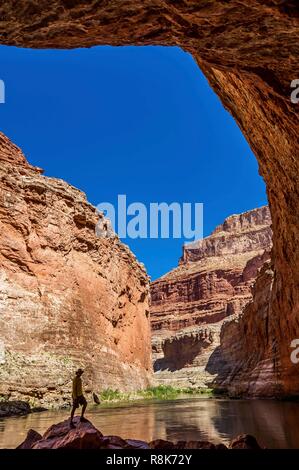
273,423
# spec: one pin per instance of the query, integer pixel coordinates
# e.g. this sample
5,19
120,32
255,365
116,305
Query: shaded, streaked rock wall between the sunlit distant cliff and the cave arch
243,356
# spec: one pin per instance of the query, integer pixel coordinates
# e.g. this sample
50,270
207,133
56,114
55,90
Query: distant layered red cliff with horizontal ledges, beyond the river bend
212,283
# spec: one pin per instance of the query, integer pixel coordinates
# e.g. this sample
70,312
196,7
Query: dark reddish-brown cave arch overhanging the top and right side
249,53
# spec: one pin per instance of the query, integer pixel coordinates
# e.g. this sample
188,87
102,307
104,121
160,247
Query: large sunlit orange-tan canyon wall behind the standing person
67,297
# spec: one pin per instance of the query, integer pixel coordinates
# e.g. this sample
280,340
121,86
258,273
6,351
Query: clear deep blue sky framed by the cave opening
140,121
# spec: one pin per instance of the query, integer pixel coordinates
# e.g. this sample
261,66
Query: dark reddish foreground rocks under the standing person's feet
87,436
